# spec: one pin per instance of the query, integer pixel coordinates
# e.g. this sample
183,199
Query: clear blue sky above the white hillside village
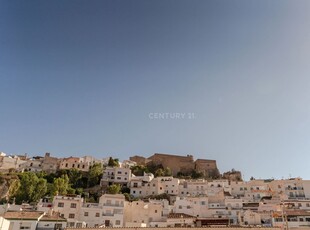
86,77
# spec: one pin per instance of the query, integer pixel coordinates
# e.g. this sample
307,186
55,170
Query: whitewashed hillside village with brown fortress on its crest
179,192
